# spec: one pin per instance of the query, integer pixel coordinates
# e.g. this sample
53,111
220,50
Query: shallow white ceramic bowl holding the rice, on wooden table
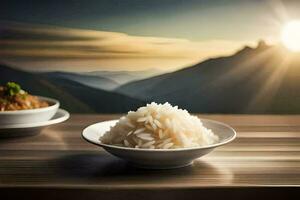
159,158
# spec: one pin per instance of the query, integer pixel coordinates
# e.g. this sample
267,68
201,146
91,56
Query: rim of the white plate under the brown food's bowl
64,117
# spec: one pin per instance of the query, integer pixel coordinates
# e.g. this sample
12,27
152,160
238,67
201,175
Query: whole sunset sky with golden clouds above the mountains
134,34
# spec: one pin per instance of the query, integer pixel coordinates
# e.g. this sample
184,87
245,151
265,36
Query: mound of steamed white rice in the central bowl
159,126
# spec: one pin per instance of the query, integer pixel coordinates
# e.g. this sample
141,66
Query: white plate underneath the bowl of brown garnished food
33,128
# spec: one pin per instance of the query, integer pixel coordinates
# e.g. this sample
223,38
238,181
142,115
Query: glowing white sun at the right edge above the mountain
290,35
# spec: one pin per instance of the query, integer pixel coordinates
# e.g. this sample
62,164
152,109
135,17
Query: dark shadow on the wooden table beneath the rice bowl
104,165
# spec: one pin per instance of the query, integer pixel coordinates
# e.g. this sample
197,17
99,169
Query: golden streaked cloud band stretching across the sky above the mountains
145,51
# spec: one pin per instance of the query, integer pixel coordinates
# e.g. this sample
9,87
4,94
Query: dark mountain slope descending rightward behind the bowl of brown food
74,96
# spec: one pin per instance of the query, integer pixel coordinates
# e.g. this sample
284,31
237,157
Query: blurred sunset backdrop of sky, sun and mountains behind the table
111,56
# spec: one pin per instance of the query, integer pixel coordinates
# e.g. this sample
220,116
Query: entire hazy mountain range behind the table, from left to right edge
265,79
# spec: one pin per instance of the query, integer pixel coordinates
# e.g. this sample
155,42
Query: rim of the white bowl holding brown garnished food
55,105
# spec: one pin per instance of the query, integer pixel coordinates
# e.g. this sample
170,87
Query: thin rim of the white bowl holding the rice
163,150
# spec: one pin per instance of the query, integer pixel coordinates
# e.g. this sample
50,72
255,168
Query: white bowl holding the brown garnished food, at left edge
30,115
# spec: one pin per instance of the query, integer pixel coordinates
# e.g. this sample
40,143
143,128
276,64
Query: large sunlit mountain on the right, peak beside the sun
265,79
